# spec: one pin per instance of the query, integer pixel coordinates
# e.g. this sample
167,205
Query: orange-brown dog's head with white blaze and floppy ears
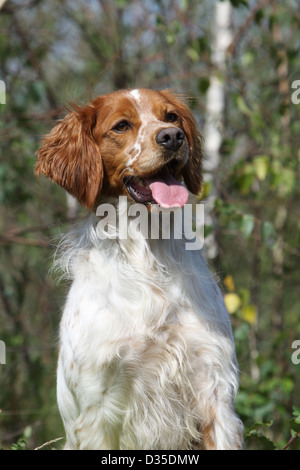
140,143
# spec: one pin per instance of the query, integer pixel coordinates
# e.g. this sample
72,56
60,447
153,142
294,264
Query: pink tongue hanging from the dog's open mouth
167,191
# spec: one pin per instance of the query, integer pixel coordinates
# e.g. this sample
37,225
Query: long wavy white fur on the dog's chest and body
147,359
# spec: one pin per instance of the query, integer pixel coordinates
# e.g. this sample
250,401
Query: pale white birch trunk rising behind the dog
215,106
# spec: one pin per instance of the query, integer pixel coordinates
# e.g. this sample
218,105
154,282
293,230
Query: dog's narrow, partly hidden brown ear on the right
192,172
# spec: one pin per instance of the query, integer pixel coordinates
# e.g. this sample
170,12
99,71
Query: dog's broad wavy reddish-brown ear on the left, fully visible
70,157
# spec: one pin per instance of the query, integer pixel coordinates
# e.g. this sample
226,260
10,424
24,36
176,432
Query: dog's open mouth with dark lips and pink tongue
162,189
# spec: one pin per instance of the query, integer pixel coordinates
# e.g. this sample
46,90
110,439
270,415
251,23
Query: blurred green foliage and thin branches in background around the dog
60,51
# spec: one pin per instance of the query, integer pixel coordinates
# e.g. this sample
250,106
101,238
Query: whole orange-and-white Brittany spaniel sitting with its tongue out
146,358
